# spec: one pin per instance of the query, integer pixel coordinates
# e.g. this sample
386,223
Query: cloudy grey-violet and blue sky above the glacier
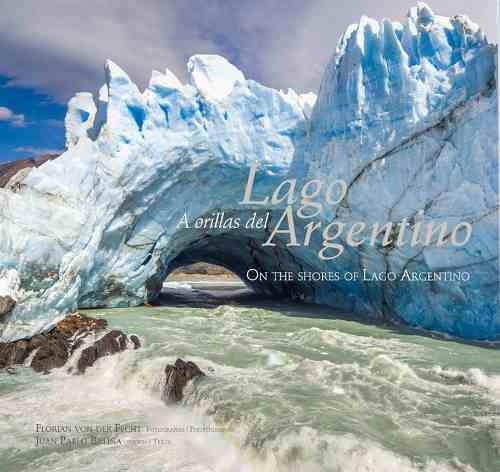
54,48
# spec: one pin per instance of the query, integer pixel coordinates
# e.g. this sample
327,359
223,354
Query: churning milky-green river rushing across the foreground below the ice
286,390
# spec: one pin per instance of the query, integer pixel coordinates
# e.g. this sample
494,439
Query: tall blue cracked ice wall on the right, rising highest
407,115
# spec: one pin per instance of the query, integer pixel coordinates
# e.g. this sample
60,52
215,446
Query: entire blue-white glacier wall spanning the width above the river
406,114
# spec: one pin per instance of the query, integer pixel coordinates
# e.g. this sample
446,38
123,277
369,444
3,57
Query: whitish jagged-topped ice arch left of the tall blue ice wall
98,225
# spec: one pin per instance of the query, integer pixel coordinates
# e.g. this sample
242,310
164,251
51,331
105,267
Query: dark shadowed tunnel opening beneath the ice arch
241,260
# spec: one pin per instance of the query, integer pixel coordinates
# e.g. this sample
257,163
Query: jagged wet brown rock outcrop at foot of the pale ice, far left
54,348
